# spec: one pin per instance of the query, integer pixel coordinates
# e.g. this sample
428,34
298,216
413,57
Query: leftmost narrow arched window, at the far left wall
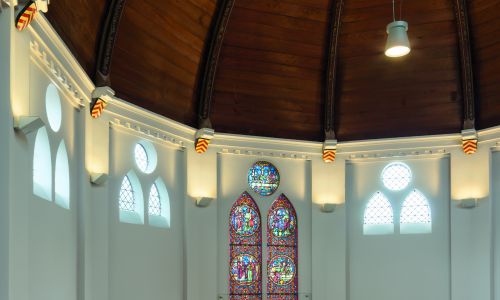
42,166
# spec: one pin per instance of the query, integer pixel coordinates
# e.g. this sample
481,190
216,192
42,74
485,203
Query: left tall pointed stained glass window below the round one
245,265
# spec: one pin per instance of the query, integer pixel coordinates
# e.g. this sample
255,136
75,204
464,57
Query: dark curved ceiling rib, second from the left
214,42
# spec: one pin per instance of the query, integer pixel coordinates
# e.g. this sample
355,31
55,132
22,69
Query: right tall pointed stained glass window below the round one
282,282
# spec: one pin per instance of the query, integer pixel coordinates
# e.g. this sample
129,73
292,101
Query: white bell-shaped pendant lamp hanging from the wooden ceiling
397,39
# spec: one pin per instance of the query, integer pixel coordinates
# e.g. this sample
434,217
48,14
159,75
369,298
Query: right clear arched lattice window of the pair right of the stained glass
415,214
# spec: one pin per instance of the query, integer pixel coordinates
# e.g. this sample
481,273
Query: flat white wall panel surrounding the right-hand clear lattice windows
399,266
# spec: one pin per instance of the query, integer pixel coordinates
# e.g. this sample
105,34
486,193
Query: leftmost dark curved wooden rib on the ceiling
109,30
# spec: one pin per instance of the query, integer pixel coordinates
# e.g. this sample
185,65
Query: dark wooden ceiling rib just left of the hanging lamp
331,71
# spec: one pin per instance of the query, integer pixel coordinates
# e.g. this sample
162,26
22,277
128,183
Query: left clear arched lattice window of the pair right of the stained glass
379,216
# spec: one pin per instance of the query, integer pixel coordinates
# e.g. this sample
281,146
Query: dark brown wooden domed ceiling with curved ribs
295,68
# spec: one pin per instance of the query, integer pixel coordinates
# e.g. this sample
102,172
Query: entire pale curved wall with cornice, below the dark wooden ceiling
86,253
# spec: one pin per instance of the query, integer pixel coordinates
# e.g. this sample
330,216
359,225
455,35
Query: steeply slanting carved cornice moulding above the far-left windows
44,59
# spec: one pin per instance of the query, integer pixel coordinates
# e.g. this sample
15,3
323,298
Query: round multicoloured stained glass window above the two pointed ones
263,178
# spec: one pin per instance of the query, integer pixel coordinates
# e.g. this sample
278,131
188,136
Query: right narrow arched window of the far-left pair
62,180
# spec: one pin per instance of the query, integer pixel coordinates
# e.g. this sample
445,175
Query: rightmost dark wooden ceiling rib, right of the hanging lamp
466,71
